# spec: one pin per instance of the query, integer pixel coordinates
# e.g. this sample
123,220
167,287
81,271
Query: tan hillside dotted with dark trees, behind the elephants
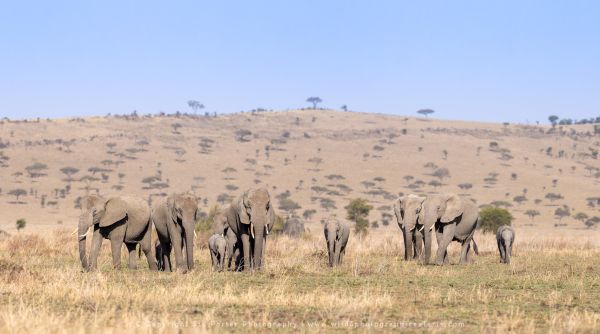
318,159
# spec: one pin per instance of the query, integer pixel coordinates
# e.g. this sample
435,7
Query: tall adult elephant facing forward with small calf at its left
251,217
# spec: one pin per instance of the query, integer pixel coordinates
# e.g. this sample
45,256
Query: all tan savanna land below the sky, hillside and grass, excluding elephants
313,162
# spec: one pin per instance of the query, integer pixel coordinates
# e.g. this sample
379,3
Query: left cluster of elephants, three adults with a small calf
129,220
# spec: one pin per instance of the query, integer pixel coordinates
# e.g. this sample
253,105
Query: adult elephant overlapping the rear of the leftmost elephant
175,220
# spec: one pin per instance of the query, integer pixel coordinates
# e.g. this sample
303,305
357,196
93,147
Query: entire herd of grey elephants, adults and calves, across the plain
241,230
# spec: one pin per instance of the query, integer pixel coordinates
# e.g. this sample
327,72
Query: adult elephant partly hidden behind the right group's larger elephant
407,209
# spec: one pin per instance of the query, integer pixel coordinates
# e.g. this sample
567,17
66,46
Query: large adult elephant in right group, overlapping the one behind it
454,219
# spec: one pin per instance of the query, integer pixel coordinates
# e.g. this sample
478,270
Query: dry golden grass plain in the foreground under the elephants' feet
552,286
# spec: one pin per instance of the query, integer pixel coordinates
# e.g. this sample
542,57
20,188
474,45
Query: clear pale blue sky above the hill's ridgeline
486,60
